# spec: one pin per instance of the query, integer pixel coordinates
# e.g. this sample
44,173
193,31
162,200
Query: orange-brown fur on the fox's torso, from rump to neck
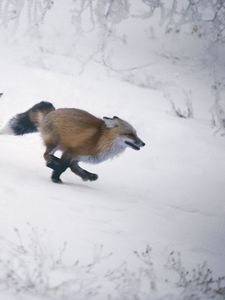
77,132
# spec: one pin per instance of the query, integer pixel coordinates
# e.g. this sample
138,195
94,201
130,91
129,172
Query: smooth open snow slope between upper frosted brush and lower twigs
170,195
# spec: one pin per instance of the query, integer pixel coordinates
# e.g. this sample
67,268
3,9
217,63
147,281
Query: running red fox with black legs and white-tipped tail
77,134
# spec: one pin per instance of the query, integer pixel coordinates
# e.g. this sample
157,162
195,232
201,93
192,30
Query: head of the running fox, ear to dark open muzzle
125,132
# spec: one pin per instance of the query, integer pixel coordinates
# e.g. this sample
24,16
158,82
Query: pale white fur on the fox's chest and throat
118,146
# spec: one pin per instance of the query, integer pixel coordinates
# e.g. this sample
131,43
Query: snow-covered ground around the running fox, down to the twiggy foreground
170,195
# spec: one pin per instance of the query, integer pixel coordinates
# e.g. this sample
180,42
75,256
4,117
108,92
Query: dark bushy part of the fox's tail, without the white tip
28,121
